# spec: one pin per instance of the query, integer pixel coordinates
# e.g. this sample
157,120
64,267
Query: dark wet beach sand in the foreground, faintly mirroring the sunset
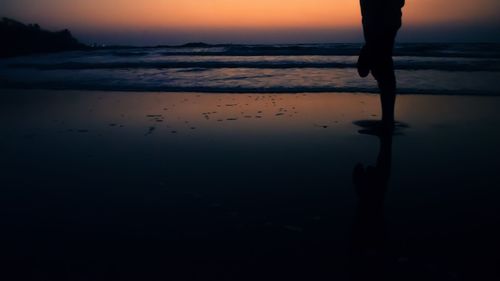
186,186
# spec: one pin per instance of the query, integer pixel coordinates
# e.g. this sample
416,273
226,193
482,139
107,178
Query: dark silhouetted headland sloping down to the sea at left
21,39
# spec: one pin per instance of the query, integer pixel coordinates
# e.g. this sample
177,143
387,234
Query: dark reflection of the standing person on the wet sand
369,227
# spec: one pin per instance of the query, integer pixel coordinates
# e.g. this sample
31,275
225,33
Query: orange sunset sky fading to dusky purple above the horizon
144,22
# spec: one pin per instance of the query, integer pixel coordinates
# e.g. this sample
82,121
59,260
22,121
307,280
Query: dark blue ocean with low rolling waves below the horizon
444,69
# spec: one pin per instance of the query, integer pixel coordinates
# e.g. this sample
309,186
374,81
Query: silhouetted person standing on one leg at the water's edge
381,22
